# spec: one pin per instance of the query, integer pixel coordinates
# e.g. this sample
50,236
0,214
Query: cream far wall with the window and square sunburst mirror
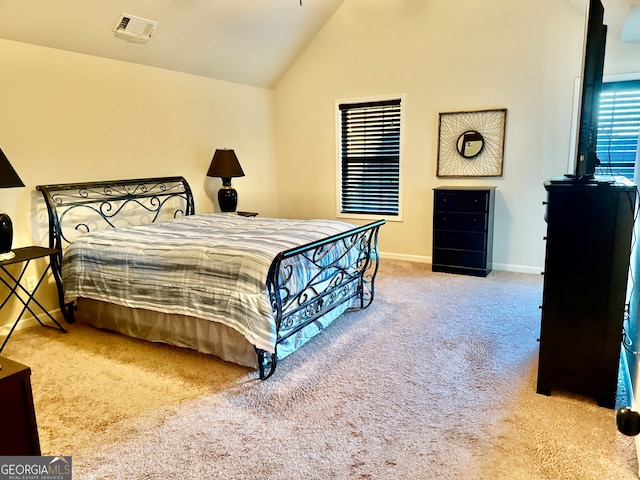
444,56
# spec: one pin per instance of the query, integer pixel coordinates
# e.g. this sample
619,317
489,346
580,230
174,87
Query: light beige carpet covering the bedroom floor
436,380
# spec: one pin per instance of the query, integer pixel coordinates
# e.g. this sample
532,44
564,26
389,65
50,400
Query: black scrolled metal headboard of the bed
77,208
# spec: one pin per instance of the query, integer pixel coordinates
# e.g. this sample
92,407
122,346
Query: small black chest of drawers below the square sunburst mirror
463,230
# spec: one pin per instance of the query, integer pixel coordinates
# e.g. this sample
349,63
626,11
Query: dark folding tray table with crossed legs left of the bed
24,256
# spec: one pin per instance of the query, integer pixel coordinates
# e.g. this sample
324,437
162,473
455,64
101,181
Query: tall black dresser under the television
589,233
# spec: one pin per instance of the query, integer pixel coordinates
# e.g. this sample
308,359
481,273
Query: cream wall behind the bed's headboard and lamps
68,117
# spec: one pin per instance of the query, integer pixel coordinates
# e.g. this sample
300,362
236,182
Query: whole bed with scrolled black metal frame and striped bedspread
136,258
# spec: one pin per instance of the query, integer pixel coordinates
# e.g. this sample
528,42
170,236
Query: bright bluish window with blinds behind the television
619,127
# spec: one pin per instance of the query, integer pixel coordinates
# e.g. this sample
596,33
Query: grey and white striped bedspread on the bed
208,266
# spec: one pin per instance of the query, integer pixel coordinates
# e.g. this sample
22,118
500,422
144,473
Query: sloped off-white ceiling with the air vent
252,42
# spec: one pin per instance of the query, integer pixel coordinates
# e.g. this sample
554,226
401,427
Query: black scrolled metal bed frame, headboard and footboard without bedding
77,208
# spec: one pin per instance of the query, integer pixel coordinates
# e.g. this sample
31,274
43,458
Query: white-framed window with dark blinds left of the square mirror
369,157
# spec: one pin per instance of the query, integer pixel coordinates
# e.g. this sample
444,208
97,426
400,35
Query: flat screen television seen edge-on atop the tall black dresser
595,37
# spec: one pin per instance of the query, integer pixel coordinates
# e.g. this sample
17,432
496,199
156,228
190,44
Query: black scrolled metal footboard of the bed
340,269
